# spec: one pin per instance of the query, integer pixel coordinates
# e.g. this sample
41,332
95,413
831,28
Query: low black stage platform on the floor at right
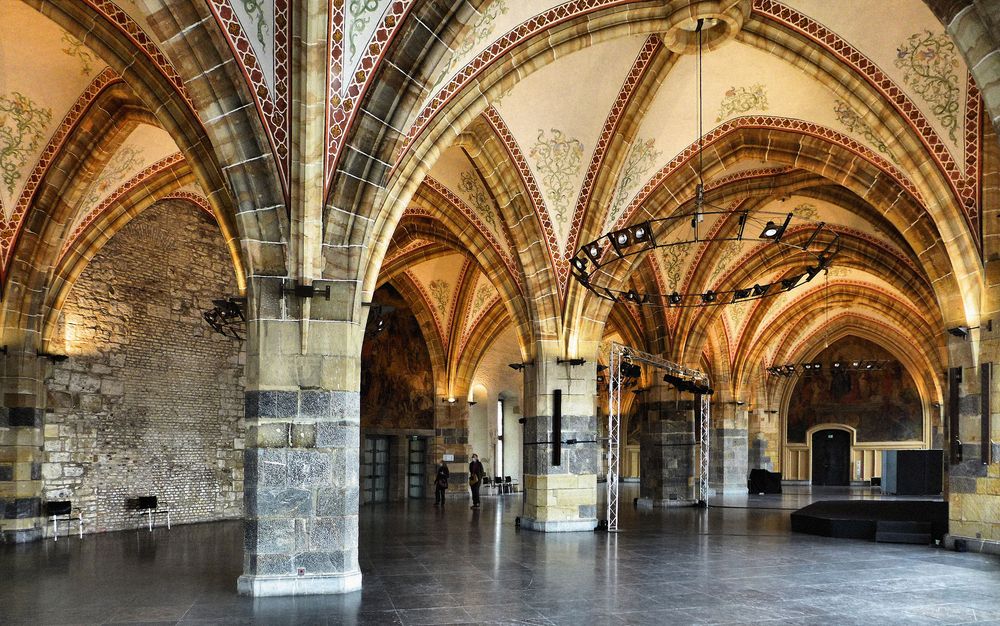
896,521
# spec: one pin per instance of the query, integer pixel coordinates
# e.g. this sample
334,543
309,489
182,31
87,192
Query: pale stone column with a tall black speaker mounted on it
563,497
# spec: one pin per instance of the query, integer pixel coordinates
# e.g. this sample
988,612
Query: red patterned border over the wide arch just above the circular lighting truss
766,123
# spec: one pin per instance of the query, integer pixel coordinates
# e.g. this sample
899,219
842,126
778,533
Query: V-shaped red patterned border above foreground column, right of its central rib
343,100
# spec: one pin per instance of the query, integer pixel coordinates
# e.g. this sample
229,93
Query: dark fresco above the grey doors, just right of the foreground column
397,387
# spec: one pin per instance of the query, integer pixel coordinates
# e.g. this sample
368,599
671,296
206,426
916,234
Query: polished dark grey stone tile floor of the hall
423,565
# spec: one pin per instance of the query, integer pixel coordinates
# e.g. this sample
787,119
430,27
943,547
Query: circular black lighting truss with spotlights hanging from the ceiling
816,242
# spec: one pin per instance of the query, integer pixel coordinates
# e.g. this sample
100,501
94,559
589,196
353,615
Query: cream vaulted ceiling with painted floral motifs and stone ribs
577,120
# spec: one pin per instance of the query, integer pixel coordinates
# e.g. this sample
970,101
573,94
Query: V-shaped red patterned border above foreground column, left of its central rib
274,107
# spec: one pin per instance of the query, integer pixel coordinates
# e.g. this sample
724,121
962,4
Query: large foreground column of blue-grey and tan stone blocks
302,458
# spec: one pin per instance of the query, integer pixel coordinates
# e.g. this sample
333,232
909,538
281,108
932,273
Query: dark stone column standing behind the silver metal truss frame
666,448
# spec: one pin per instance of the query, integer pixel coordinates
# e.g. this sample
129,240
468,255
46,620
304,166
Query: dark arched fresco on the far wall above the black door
882,405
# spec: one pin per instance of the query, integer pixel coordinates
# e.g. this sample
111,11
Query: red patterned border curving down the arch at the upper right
966,191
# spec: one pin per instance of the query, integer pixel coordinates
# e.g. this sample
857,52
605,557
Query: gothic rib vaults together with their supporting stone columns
460,153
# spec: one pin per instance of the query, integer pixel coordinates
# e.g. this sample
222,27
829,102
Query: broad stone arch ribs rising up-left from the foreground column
222,138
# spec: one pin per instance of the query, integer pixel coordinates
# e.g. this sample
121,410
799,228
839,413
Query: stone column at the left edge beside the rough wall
21,440
